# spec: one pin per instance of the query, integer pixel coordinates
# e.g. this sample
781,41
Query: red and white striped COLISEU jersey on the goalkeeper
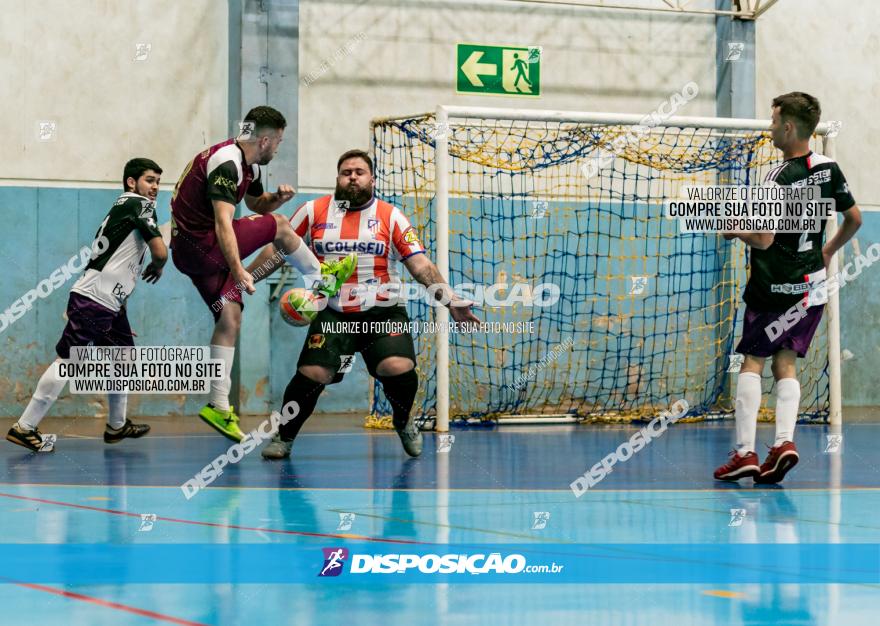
379,233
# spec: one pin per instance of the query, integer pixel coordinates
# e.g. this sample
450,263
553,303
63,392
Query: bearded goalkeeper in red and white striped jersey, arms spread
367,309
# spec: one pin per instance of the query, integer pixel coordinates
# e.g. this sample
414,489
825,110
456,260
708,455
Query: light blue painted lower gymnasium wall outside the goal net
51,225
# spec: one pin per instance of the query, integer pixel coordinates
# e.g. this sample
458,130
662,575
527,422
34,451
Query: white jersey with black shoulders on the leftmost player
119,250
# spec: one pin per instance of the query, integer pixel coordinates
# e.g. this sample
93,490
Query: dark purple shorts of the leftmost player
90,323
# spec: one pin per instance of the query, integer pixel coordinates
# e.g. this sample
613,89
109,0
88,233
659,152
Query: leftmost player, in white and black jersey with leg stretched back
96,313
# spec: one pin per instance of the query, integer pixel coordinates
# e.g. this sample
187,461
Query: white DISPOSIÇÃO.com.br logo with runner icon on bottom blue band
429,563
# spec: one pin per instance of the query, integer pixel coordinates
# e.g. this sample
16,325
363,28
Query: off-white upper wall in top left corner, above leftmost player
73,63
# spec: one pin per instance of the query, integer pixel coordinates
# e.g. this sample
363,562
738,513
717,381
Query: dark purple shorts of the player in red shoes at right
764,333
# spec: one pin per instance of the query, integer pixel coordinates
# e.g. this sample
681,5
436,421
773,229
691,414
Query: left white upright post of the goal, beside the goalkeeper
441,161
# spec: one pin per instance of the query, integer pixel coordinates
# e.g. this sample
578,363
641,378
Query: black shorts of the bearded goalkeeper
334,338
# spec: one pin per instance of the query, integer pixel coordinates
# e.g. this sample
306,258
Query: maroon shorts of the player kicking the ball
199,257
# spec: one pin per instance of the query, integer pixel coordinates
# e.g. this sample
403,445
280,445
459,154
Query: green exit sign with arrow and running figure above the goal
499,70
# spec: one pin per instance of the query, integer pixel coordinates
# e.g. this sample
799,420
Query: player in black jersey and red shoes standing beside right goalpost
787,274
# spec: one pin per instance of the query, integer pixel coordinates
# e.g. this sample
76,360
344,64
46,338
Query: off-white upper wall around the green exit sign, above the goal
393,57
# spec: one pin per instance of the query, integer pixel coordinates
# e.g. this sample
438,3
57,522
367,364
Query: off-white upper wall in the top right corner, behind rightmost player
829,50
